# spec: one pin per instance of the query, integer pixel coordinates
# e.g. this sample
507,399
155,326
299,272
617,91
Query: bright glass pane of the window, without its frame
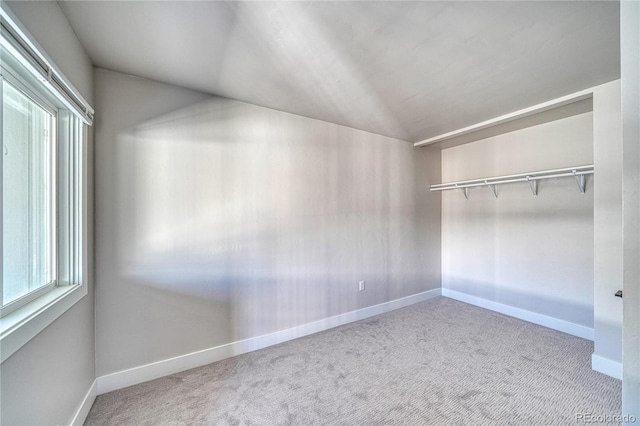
27,216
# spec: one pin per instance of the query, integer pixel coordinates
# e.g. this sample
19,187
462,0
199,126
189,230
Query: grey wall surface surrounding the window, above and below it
46,380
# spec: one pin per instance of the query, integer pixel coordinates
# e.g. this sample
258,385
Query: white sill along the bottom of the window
22,325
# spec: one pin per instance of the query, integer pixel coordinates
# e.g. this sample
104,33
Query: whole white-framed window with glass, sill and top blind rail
42,201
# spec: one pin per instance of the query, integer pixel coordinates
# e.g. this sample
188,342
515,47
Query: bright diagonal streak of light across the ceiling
305,44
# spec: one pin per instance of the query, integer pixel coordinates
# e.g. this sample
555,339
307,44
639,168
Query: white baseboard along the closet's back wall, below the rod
534,317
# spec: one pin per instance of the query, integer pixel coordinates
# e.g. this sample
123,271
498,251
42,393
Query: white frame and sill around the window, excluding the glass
21,325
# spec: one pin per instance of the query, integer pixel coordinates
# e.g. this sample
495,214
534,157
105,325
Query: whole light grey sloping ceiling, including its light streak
411,70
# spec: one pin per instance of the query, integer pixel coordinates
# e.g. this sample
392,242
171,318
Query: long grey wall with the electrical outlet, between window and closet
217,221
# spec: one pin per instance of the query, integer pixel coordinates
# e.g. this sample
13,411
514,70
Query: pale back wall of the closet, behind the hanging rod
533,253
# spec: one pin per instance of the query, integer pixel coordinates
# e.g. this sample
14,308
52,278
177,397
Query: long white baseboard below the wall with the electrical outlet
144,373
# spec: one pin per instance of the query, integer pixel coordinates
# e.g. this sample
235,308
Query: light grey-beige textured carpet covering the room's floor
436,362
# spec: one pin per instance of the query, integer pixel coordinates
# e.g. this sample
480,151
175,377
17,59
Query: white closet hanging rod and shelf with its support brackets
492,183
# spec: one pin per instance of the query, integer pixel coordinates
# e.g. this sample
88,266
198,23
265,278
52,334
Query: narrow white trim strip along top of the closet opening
526,112
